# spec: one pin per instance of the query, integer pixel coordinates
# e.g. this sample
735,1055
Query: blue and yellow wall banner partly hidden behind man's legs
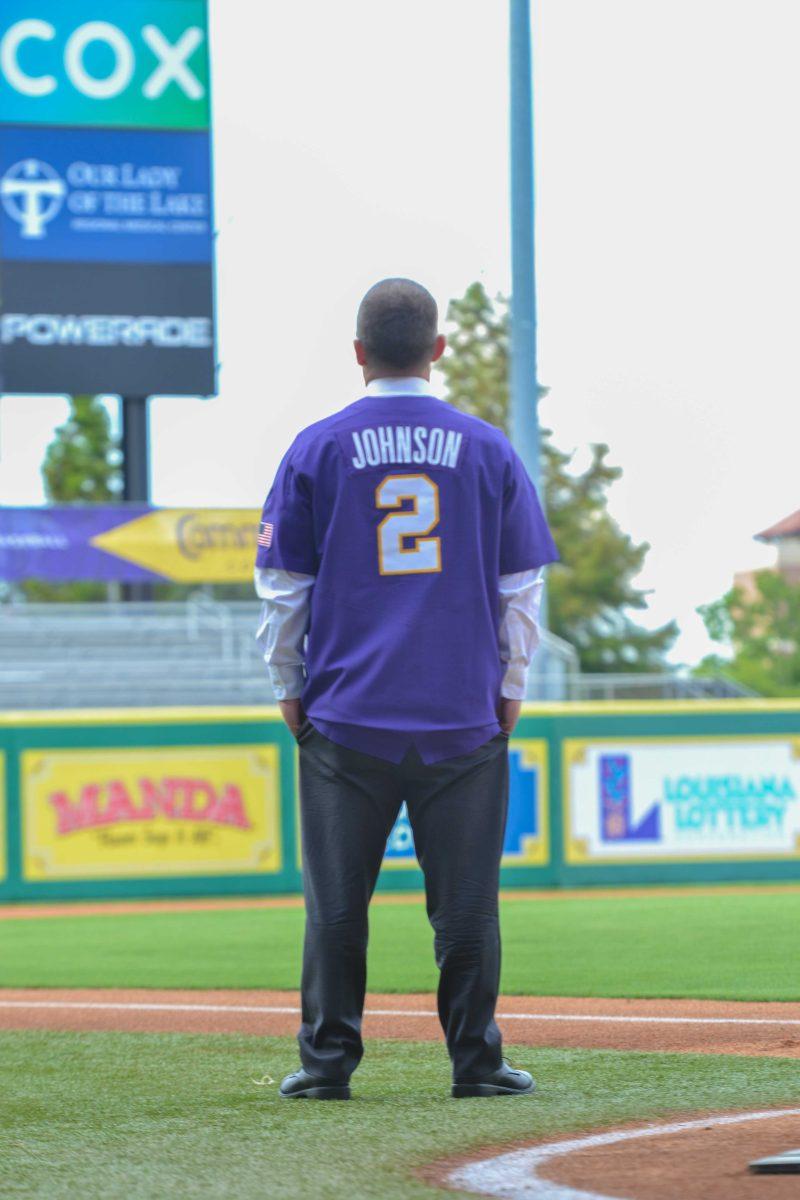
527,839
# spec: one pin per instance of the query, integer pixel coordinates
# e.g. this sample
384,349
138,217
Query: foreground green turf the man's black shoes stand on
149,1118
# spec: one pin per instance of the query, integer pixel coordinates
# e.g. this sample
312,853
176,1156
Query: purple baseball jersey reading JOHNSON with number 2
407,512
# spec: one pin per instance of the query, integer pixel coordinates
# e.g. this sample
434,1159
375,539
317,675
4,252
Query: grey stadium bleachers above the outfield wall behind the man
204,653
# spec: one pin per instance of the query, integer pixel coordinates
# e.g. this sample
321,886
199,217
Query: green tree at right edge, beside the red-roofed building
763,632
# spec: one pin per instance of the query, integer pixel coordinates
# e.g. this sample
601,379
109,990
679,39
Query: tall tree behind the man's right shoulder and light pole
592,589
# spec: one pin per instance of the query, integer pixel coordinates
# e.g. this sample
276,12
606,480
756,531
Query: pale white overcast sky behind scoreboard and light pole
362,140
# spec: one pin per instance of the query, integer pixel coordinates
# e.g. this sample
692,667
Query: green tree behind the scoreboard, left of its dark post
82,466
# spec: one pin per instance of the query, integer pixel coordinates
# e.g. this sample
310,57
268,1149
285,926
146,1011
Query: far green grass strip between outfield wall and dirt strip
742,946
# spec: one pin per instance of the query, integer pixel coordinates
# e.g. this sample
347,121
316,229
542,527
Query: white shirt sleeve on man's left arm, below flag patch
284,627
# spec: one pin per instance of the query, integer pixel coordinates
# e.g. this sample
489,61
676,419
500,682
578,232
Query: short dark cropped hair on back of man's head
398,325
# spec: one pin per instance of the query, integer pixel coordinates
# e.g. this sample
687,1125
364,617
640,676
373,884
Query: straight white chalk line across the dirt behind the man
267,1010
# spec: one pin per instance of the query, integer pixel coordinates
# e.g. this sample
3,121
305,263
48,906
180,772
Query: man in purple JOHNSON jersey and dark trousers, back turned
407,542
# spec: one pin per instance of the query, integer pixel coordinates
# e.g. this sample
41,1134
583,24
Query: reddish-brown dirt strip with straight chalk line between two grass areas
652,1025
